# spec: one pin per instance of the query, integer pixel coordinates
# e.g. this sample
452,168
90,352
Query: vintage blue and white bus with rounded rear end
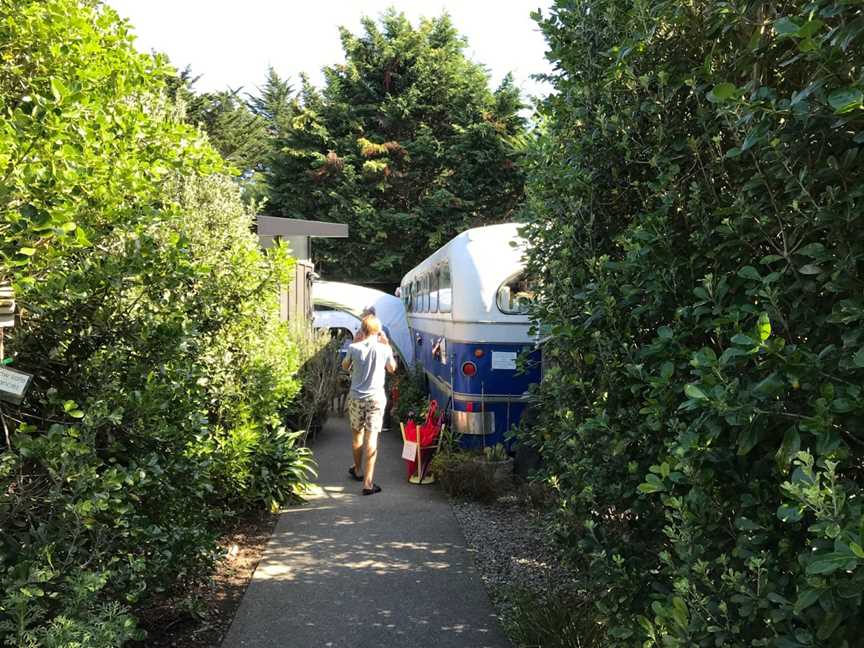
466,306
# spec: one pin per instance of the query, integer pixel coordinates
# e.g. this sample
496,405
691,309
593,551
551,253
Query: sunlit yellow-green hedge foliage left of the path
149,318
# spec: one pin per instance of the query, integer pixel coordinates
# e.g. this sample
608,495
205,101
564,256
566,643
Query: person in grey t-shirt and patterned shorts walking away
369,359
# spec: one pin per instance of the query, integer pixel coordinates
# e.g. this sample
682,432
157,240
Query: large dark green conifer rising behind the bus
406,143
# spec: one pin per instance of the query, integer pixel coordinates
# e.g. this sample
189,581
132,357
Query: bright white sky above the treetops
231,43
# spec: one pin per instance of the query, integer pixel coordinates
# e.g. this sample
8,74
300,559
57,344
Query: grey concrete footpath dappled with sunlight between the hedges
390,570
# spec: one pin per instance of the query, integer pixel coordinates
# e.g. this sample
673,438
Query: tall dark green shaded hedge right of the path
696,208
